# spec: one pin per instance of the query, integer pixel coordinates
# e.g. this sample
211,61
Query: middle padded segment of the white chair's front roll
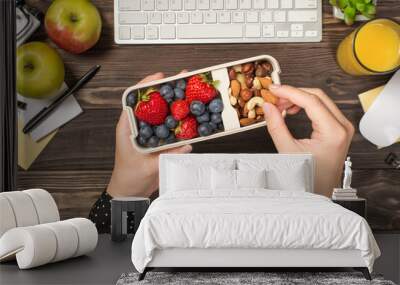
67,239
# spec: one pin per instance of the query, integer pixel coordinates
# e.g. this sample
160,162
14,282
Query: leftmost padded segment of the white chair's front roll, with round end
34,246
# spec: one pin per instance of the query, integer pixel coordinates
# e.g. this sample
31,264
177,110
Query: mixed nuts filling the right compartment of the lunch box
249,89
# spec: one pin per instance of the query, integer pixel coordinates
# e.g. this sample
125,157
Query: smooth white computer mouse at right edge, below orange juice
381,123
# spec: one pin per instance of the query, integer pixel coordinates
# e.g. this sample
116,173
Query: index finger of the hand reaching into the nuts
319,114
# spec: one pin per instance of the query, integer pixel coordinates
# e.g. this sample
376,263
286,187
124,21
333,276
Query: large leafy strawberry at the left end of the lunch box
151,107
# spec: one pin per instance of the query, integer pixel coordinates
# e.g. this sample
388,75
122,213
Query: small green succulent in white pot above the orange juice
354,10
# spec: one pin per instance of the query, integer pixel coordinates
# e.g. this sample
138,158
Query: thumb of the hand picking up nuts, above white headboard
283,139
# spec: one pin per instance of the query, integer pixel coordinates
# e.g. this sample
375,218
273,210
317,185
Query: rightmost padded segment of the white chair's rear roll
45,205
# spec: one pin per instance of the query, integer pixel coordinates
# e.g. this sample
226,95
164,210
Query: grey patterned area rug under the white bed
242,278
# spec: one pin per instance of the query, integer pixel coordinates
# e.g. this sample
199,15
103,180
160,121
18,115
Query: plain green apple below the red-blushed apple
40,70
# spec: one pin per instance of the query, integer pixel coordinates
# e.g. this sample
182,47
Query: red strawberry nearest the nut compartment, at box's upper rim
200,87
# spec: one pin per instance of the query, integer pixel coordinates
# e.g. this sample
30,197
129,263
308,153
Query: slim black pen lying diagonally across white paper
39,117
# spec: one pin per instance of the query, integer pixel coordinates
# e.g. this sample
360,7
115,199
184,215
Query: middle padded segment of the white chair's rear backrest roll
23,208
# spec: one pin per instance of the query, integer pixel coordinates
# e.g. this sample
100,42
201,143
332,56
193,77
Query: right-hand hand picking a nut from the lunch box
329,141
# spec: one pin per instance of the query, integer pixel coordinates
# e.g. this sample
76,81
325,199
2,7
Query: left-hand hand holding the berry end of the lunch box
135,174
